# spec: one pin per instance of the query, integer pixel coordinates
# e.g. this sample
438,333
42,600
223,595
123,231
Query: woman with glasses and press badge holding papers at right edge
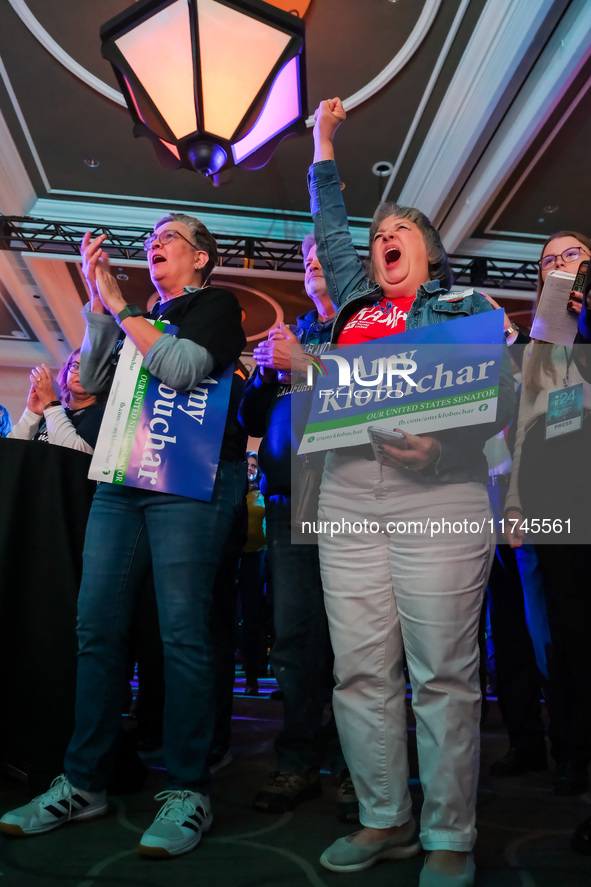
548,503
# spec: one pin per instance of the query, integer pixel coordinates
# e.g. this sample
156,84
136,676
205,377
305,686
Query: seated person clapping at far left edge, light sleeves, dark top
70,419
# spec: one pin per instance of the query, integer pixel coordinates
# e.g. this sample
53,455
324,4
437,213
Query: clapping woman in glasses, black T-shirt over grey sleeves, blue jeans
129,527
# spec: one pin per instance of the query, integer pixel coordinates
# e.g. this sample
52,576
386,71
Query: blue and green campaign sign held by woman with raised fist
441,376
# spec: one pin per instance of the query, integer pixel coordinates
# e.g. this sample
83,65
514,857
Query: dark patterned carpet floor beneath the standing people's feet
523,830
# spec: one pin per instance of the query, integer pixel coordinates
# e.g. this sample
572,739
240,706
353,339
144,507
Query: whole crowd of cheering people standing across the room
354,613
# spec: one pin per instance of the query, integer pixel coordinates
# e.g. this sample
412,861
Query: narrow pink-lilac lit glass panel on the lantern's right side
281,108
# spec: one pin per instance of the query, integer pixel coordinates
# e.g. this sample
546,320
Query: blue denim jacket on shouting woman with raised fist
461,458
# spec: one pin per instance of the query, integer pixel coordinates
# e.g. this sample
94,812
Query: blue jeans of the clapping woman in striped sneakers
184,539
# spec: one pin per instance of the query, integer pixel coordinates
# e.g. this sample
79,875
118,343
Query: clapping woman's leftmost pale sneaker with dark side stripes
61,803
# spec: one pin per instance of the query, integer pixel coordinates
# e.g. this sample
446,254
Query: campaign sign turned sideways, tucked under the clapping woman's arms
157,438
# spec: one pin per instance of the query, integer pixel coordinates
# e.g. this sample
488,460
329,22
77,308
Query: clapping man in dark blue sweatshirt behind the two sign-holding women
301,656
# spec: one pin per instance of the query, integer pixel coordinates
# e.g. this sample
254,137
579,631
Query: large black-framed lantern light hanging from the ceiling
211,83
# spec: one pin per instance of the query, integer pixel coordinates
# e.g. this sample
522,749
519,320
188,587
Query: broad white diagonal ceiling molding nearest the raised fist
482,88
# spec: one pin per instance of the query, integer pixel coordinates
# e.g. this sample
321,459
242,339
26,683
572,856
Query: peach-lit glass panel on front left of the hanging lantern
159,52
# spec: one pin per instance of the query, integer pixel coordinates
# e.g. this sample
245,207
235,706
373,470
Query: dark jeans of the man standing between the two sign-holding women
301,656
